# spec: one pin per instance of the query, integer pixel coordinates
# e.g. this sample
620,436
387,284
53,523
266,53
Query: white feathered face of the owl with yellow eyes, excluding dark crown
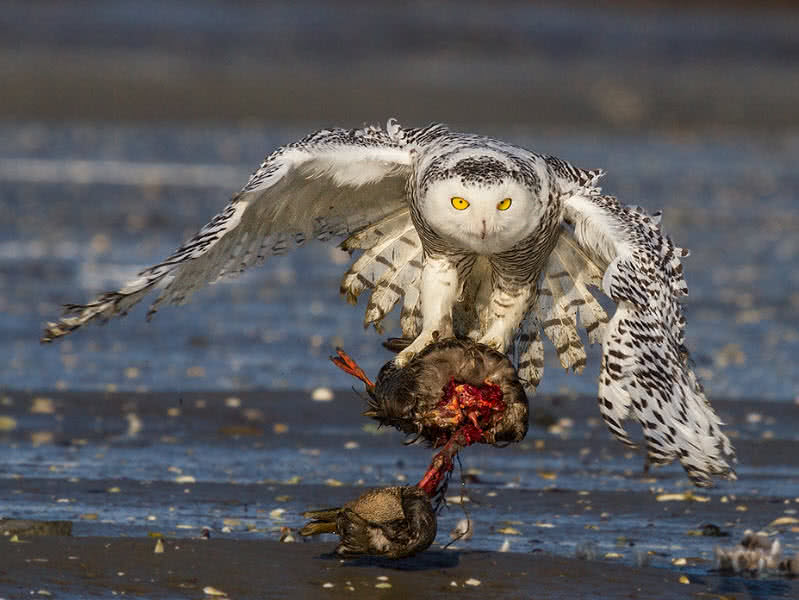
485,219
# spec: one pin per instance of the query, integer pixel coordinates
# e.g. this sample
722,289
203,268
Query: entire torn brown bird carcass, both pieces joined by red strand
453,394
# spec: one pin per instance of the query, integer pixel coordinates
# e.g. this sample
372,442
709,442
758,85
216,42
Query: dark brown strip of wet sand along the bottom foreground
269,569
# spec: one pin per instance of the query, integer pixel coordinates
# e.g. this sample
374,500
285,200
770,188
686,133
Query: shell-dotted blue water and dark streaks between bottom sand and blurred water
245,466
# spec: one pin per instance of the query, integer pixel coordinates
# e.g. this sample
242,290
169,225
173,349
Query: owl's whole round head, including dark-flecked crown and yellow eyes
482,205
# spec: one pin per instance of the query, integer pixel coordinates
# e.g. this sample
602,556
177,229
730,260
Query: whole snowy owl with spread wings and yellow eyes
472,237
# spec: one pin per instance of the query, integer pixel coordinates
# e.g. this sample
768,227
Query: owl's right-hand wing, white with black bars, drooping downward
646,370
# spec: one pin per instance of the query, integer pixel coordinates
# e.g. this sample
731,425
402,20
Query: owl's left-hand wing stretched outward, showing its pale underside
330,184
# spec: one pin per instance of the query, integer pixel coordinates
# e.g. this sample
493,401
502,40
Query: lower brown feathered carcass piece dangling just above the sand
393,522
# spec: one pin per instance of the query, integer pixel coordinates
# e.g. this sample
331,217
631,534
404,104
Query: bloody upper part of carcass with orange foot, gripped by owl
454,393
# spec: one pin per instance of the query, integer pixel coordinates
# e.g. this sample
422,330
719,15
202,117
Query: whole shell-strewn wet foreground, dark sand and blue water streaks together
125,467
